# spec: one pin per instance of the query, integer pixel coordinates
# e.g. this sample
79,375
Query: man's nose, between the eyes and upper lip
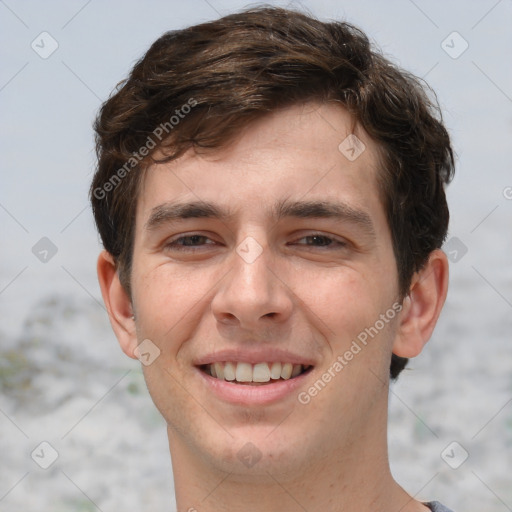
252,294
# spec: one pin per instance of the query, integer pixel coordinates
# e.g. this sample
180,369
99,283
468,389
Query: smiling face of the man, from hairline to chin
268,262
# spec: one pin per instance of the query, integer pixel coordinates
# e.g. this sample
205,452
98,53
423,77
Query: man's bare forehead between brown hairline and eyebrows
310,152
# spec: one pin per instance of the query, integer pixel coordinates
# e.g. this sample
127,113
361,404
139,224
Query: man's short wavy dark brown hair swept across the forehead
236,69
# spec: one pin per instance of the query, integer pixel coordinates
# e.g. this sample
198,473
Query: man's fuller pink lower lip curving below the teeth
245,394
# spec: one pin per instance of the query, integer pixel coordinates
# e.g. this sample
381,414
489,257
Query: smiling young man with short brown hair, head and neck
270,195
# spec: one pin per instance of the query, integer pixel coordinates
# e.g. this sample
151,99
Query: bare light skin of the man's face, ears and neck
299,294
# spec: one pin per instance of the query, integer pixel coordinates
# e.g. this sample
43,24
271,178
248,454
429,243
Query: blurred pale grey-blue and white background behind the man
78,430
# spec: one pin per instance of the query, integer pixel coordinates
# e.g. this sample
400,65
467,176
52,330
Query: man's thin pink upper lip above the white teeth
254,356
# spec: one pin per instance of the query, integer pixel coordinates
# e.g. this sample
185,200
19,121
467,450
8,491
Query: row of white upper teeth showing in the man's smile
261,372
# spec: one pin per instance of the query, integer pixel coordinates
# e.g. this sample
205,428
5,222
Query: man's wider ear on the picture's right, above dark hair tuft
422,306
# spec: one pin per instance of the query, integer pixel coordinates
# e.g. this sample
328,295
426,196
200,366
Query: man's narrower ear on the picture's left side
119,306
